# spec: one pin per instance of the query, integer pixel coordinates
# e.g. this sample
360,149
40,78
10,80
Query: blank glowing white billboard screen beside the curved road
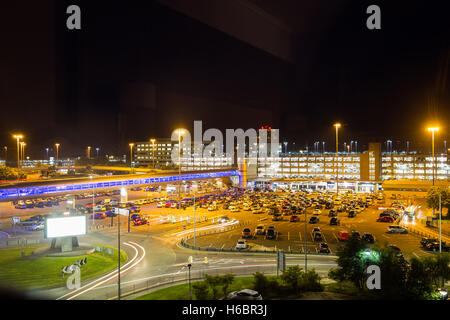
65,226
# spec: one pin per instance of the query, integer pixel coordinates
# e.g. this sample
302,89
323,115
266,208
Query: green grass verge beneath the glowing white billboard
28,273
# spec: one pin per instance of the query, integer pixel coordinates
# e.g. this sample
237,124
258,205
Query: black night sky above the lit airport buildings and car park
139,69
